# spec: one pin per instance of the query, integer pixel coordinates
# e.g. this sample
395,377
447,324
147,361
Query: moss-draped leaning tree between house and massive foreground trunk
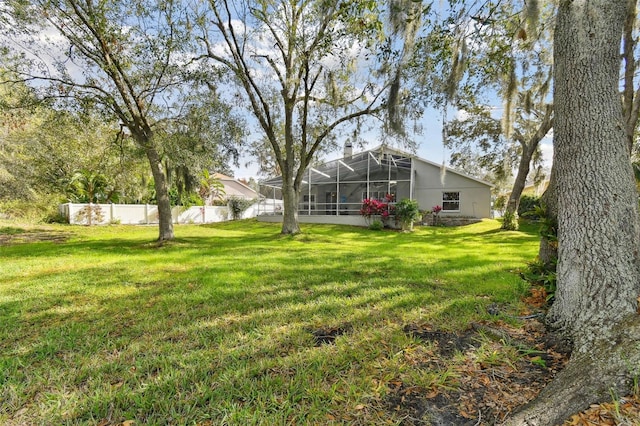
511,55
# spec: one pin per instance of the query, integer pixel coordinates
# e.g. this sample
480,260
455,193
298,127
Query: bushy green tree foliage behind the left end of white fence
45,156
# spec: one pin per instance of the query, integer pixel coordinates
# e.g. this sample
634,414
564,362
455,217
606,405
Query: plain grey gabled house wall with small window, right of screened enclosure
474,196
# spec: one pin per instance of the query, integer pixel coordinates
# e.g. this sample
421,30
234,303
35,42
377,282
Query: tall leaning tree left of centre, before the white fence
118,55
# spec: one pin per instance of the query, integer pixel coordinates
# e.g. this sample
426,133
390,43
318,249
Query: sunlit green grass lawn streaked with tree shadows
100,326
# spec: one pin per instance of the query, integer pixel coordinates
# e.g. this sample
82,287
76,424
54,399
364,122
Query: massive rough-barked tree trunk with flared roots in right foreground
598,276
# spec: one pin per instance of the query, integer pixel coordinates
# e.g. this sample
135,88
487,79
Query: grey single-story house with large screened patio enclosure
333,192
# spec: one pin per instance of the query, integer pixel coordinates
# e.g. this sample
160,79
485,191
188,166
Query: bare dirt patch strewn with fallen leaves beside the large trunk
497,368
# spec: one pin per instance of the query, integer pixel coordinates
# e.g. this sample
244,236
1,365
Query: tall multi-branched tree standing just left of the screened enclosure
307,69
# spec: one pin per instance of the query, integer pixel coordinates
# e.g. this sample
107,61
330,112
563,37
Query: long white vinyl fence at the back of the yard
145,214
